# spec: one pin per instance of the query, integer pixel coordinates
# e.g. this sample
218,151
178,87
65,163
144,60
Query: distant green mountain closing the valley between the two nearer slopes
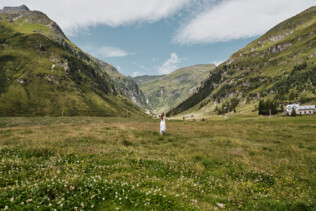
167,91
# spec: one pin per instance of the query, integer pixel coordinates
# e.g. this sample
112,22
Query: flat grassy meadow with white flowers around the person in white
76,163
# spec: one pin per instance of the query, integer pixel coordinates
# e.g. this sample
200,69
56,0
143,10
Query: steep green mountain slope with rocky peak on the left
43,73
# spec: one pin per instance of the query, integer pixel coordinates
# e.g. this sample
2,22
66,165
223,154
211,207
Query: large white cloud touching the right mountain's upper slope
235,19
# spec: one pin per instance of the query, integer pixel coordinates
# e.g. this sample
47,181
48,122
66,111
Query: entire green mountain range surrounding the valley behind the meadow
43,73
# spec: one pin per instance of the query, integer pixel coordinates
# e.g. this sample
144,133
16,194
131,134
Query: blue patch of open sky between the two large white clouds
147,47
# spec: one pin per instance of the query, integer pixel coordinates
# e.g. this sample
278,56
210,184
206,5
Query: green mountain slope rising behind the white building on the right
280,65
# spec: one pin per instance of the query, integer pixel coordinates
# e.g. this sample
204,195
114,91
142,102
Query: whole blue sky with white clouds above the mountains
158,36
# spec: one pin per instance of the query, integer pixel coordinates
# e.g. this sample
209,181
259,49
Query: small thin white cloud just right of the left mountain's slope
105,51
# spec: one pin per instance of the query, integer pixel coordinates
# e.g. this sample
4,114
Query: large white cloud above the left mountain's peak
73,15
